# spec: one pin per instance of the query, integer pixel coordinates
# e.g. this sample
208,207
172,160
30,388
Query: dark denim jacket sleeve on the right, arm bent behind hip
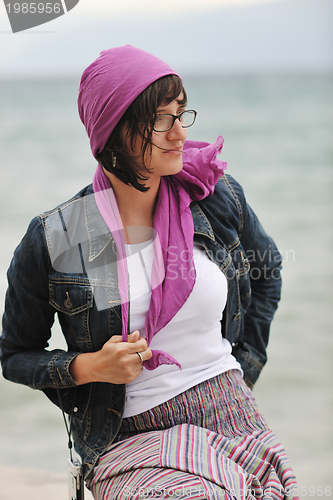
265,278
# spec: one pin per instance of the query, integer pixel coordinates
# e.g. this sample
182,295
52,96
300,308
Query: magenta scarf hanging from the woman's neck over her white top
173,244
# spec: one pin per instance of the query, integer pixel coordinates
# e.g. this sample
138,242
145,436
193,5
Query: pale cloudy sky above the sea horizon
193,36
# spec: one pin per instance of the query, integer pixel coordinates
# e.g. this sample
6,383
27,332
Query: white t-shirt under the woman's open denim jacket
193,336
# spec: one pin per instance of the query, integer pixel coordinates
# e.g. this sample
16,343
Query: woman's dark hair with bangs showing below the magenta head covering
138,120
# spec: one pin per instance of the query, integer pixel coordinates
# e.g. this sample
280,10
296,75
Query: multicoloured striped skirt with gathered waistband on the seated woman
210,442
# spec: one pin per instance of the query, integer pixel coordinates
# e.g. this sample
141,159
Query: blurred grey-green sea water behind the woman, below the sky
278,134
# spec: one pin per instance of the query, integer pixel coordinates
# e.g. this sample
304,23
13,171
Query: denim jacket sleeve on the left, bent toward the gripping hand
28,319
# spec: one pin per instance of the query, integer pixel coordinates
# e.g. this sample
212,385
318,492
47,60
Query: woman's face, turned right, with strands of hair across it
166,156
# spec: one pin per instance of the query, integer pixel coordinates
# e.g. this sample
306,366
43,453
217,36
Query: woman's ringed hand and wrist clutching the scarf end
117,362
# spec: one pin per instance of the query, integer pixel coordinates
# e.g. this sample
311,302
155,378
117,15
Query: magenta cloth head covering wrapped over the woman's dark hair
110,84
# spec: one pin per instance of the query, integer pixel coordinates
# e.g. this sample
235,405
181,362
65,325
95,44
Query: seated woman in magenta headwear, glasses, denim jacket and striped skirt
165,285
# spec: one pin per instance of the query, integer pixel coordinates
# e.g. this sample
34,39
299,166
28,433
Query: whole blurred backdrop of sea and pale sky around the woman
259,73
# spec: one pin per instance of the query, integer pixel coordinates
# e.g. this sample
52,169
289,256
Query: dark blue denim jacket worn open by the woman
65,264
